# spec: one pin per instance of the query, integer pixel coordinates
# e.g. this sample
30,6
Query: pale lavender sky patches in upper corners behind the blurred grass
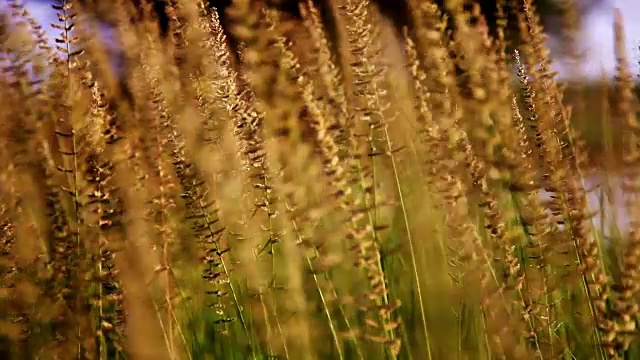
596,36
